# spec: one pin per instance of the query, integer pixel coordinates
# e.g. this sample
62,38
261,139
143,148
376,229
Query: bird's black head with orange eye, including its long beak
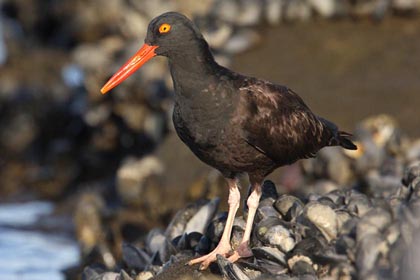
167,34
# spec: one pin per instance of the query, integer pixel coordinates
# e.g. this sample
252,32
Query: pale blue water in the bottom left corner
29,254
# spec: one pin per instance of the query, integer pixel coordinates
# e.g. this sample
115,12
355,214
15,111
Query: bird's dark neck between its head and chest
193,69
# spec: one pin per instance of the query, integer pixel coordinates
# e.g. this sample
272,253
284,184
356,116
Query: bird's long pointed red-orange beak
145,53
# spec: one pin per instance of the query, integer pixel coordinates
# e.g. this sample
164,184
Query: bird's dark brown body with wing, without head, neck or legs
240,124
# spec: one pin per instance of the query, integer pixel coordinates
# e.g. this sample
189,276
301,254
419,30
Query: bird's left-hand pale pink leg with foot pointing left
223,248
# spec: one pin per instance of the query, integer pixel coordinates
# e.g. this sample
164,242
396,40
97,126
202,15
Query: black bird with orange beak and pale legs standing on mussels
234,123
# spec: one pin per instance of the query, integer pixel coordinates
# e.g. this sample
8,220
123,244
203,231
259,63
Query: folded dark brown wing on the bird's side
276,122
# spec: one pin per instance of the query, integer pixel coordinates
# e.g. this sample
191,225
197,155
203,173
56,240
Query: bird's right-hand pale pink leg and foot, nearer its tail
243,249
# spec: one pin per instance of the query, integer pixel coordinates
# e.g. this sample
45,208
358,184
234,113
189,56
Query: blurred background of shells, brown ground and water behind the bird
81,172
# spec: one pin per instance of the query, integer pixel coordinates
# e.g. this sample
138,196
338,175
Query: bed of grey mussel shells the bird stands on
360,225
